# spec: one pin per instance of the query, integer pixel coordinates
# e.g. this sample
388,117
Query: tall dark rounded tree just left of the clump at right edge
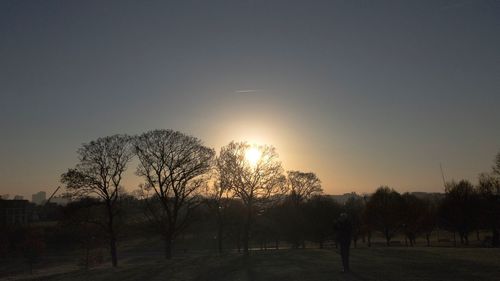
459,210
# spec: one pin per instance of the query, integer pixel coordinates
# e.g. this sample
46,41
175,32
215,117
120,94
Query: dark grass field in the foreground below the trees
367,264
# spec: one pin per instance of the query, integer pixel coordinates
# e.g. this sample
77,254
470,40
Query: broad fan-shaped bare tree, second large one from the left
174,167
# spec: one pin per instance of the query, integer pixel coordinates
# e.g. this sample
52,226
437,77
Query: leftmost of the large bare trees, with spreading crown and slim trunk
99,173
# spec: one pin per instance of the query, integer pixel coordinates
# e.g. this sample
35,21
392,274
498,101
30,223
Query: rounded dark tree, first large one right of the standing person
384,212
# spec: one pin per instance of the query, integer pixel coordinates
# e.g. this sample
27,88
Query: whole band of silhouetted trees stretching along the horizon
189,190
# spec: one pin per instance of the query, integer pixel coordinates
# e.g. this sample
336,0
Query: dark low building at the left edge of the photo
16,212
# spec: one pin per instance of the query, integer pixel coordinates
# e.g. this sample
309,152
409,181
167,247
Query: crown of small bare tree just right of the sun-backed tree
302,186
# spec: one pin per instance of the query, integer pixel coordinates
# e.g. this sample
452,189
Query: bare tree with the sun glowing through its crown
254,180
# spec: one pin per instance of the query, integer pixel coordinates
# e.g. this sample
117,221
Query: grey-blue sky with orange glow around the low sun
363,93
